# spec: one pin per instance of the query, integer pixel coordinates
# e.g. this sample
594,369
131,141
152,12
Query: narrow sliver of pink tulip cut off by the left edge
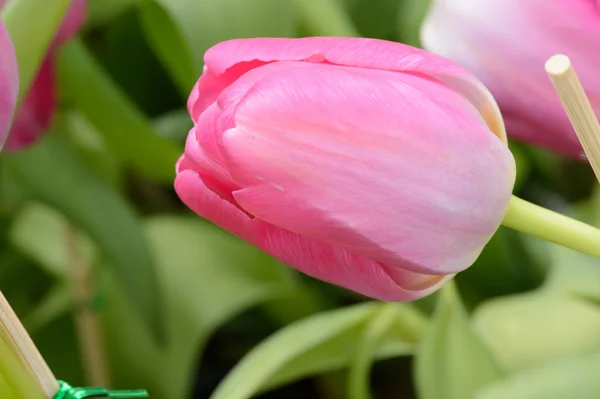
9,83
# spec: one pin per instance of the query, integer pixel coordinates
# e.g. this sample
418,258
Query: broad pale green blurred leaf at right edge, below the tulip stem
530,329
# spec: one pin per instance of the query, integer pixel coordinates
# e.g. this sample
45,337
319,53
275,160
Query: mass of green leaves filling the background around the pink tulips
523,322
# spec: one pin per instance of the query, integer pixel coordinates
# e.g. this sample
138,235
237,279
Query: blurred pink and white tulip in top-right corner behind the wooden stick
506,43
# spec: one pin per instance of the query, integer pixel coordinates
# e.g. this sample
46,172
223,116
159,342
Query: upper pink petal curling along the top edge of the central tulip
228,60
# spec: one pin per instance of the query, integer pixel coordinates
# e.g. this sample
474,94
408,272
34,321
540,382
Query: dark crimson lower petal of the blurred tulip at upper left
35,115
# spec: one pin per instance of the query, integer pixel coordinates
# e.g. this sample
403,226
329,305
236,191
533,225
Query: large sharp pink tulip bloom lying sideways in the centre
368,164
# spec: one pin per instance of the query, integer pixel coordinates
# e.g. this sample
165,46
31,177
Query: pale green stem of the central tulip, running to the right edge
540,222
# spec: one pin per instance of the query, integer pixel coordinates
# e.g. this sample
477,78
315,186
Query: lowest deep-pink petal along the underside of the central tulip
308,255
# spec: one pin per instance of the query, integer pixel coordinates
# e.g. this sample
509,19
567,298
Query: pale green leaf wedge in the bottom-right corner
575,377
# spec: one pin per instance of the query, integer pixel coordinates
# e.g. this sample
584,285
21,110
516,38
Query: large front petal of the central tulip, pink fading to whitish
391,166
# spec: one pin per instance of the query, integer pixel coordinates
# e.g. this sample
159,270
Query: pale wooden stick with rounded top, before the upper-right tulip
578,107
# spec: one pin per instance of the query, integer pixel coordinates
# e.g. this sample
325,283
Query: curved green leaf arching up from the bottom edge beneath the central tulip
324,342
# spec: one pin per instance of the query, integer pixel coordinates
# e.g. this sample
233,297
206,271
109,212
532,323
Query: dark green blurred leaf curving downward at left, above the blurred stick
55,176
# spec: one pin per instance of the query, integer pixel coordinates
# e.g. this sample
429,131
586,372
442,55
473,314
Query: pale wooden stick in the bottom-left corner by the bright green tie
13,332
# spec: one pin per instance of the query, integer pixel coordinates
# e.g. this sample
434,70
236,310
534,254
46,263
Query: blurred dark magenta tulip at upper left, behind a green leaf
35,114
